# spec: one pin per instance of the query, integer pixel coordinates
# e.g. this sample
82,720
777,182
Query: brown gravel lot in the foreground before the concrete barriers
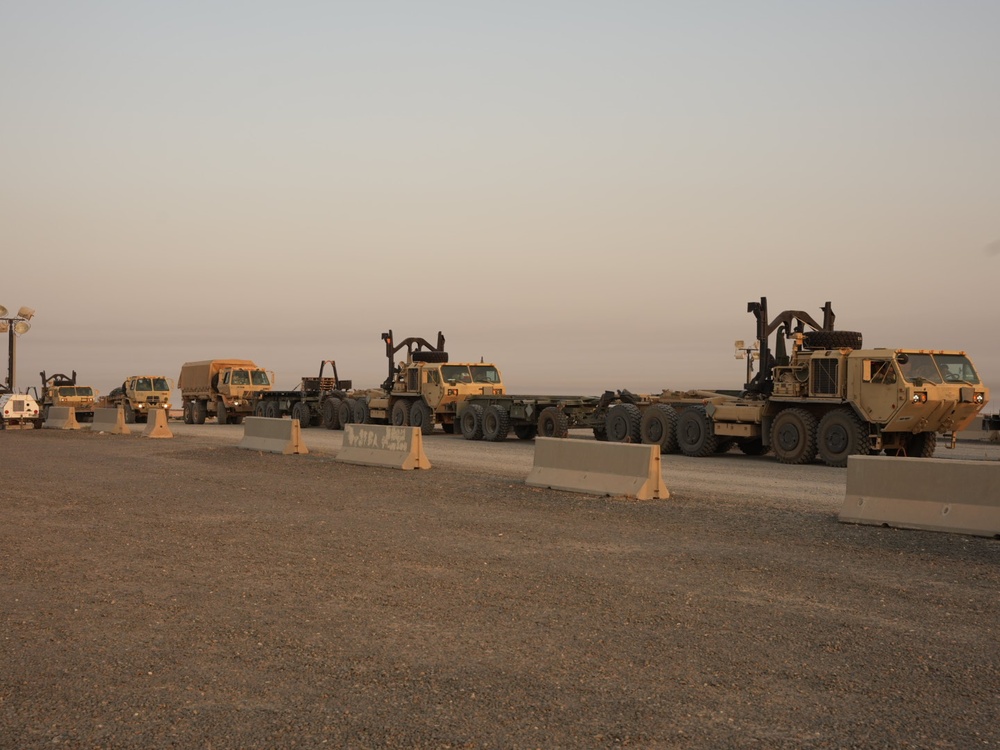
185,593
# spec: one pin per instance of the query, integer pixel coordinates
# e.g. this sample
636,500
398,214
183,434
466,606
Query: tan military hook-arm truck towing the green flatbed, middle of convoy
420,391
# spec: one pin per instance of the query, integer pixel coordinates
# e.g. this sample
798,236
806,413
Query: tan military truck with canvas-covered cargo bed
224,388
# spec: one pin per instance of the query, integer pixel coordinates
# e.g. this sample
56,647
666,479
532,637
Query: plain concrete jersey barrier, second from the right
598,468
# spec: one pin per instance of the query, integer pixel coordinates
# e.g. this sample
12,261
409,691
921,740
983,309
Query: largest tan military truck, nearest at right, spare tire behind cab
828,398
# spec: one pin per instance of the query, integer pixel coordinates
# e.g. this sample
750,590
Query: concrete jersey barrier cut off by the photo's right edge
962,497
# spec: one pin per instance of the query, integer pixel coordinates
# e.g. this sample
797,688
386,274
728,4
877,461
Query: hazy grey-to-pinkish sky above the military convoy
585,193
